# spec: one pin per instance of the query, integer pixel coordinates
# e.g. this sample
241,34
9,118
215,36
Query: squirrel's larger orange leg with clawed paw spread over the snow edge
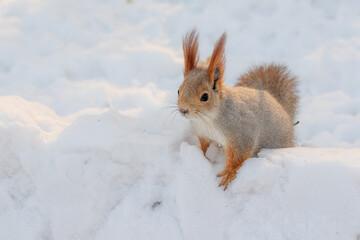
234,160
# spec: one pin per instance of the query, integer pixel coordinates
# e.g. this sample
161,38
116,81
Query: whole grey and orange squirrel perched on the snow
258,112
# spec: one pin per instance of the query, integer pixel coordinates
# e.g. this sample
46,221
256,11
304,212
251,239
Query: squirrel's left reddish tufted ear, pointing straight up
190,48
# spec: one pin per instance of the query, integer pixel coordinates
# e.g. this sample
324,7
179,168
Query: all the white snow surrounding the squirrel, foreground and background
90,147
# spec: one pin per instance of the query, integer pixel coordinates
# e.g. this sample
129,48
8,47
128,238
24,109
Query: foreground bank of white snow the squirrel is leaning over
99,175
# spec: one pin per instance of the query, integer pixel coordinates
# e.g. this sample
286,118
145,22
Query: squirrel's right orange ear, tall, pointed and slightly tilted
217,63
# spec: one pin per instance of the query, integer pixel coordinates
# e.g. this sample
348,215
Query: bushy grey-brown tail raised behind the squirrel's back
278,81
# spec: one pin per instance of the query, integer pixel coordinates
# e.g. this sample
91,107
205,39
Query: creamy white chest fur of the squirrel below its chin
208,129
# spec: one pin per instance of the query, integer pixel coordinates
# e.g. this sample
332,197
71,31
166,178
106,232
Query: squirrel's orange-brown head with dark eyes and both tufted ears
200,92
